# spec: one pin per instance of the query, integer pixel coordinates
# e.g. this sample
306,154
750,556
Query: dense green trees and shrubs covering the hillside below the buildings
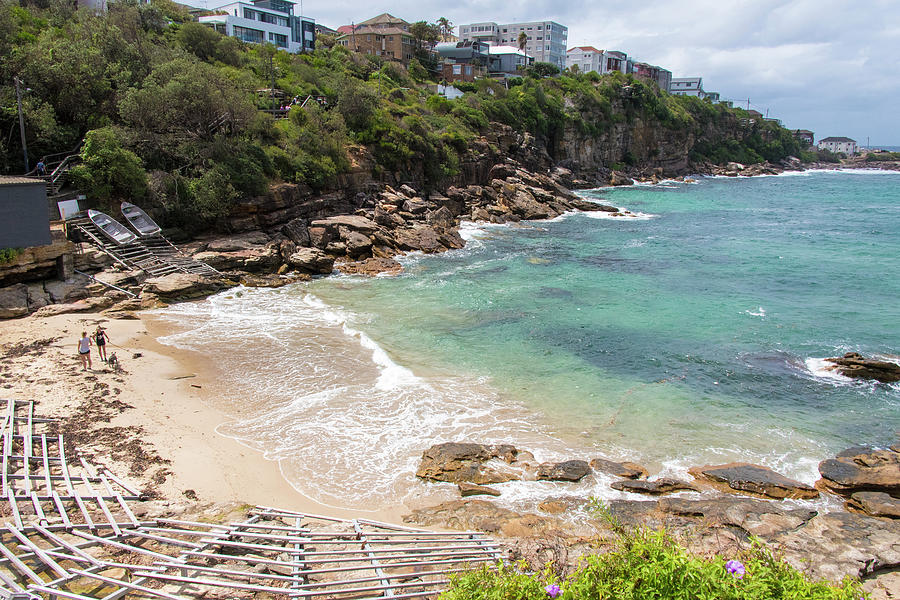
171,113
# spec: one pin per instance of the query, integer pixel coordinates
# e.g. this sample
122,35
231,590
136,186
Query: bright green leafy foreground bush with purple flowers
649,564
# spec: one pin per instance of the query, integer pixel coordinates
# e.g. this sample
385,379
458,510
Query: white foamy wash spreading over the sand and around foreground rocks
322,397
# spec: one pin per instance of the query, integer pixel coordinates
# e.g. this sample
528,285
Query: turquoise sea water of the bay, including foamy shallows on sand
690,335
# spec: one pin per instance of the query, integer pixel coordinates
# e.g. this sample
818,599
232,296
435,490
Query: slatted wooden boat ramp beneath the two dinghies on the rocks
154,255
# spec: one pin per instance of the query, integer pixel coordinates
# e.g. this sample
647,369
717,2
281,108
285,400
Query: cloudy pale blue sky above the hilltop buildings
832,66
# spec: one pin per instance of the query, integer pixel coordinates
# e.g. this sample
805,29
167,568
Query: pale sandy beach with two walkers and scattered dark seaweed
153,423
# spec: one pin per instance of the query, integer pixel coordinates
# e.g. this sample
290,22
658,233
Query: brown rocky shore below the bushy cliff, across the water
290,234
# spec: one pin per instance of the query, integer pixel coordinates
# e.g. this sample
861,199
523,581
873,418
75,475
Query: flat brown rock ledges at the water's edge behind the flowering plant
741,502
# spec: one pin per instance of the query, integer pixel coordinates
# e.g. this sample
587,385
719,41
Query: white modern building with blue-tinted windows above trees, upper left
260,21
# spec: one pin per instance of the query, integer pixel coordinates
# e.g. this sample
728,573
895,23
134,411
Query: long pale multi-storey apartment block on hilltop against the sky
546,41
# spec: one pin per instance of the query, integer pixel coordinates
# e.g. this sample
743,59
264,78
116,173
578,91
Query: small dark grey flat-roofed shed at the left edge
24,216
